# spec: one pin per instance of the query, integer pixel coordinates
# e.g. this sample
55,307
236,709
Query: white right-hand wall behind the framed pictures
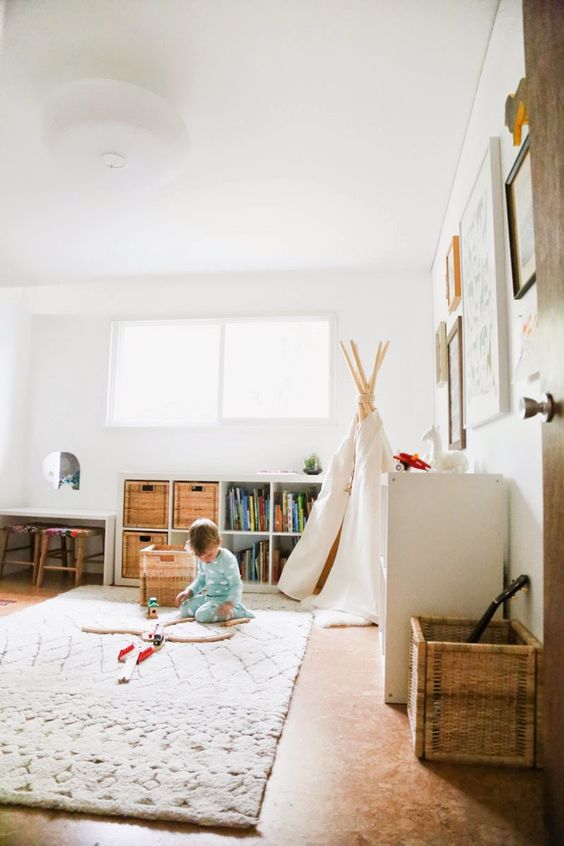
507,445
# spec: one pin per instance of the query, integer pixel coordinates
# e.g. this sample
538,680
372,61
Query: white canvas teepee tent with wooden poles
346,514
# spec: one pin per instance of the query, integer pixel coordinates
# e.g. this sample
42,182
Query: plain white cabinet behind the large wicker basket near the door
442,555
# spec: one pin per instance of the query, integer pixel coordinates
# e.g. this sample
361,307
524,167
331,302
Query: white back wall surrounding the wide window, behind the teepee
70,351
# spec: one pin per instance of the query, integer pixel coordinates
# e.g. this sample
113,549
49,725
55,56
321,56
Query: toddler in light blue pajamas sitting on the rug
215,594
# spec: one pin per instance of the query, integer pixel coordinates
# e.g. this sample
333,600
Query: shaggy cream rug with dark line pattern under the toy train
192,737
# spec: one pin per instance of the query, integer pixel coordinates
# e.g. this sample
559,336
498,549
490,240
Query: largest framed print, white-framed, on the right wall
483,276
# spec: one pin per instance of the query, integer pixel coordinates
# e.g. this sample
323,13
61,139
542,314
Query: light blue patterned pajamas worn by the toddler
215,584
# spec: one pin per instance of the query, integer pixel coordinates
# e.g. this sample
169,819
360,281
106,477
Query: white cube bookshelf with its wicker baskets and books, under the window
260,517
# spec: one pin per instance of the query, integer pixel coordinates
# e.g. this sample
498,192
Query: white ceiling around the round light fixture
322,133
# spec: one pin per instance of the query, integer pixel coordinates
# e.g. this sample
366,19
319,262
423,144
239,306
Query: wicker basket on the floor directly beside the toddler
165,571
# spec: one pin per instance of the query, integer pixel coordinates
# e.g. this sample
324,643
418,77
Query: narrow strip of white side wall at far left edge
14,352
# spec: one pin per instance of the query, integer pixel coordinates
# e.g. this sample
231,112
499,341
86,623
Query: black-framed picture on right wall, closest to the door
519,196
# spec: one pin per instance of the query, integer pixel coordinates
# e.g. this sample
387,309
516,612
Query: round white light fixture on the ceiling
113,134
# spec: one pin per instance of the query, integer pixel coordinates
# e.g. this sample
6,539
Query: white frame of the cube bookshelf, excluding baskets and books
234,539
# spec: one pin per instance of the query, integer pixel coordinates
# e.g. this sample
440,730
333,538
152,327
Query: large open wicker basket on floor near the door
475,702
